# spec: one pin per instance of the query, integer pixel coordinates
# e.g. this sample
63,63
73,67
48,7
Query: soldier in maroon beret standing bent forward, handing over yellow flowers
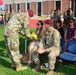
16,23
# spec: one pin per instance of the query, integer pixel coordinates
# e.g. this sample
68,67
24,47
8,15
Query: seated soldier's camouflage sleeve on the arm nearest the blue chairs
56,45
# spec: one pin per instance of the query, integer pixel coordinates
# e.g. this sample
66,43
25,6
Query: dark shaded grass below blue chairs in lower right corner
67,68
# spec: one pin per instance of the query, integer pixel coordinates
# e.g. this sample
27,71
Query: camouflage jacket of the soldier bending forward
17,23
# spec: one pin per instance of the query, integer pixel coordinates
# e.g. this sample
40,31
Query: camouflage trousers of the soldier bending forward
12,45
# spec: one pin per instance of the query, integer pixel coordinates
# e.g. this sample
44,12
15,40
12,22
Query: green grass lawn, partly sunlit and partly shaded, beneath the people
5,69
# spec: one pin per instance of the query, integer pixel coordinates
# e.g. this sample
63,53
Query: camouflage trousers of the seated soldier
51,57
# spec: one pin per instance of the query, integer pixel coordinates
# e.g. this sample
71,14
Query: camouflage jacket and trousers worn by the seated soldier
51,42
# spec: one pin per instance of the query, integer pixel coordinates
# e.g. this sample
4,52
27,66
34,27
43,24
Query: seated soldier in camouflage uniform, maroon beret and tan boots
49,43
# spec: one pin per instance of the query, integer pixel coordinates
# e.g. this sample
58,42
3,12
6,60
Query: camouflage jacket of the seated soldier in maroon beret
50,40
